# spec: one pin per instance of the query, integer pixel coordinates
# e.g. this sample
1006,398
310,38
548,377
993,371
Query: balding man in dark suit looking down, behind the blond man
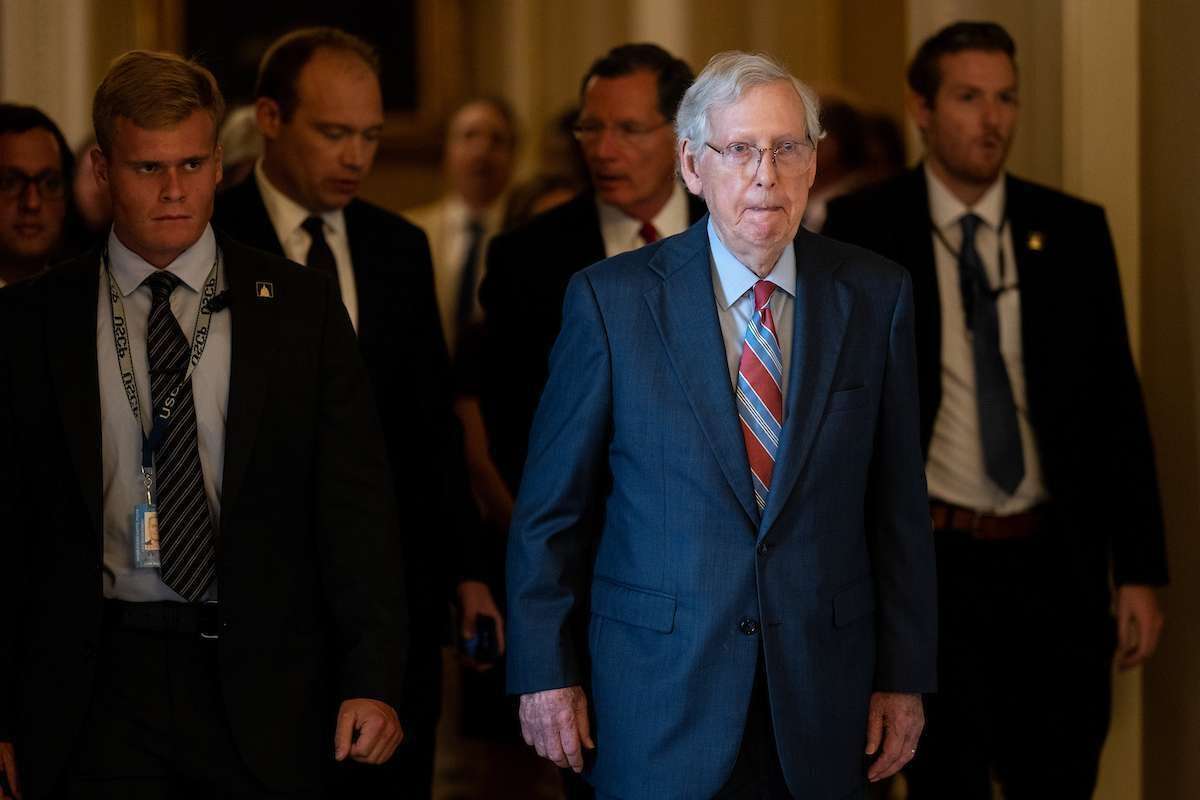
321,113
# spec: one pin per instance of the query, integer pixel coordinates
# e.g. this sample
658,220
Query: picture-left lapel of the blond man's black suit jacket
71,339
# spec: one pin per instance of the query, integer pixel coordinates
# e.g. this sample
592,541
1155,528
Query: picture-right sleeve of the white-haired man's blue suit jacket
898,524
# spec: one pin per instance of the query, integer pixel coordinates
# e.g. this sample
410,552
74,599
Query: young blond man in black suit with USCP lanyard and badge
200,542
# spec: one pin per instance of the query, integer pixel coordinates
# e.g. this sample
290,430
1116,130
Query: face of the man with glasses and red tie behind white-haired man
628,145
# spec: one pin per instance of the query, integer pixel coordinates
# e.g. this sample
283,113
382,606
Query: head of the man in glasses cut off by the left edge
35,171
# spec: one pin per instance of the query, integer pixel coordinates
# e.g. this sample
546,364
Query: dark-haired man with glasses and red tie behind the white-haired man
628,106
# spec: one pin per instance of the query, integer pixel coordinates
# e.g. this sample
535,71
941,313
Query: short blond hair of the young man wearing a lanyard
154,91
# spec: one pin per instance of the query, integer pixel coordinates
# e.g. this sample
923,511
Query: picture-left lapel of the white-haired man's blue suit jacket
685,310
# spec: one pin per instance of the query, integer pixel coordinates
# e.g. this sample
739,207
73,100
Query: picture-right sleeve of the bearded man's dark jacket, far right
1133,512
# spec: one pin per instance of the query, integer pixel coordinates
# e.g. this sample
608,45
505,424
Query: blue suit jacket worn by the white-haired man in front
638,437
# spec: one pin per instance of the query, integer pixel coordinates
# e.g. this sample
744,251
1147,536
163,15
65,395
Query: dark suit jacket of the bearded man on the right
1084,396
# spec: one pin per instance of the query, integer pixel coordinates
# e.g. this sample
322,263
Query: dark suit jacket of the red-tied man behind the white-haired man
523,299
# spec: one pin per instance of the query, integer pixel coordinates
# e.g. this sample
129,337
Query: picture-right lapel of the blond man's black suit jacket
254,324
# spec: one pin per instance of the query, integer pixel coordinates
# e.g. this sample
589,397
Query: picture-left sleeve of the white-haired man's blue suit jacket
553,524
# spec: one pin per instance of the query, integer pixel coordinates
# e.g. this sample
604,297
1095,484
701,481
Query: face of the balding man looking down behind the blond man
321,155
